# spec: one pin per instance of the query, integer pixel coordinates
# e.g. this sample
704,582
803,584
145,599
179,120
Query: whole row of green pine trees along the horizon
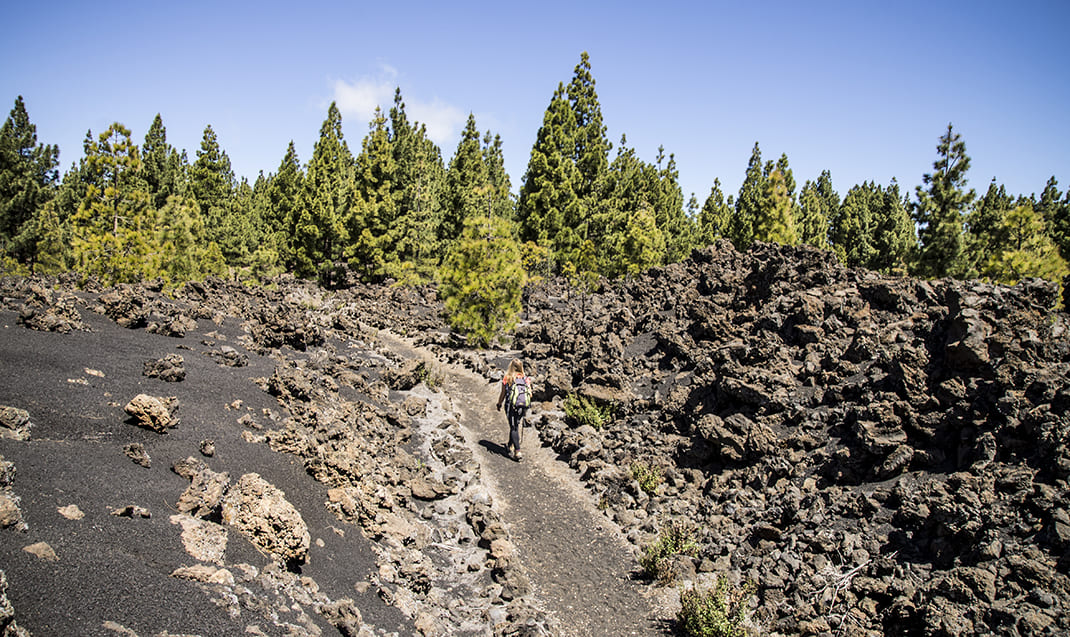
395,210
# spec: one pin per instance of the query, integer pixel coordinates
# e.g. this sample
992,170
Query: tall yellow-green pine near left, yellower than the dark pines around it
115,230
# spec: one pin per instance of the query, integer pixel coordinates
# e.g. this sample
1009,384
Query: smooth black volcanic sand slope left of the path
118,570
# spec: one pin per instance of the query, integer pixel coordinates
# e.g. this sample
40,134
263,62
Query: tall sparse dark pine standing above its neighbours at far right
941,209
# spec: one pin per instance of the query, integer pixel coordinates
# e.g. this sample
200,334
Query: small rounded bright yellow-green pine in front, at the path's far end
482,280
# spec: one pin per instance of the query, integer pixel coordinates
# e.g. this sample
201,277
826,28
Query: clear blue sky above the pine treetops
863,89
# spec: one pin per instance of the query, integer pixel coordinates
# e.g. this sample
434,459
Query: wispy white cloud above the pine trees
360,99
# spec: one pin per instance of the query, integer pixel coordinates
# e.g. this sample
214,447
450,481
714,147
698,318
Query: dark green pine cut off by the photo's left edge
28,178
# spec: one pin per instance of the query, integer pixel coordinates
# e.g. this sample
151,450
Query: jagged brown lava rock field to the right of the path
878,456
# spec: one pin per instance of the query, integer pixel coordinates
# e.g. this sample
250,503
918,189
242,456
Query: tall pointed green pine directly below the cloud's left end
326,204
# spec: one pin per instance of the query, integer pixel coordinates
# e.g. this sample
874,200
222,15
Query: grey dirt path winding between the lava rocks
580,567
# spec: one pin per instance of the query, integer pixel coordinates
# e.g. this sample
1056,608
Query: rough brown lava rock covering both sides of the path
877,456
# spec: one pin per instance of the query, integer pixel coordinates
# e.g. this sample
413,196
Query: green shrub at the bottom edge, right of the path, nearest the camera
721,612
